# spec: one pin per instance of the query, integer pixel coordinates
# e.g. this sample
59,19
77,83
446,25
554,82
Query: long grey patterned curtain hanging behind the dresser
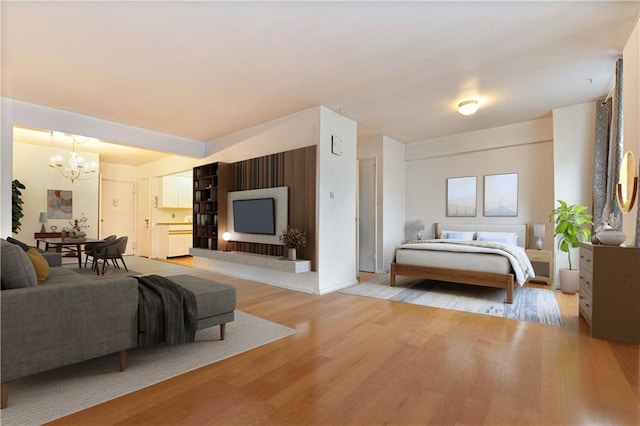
608,152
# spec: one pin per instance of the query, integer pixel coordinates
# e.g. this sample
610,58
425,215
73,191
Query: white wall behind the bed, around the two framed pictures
524,148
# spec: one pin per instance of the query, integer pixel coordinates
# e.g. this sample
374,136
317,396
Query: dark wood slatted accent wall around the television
294,169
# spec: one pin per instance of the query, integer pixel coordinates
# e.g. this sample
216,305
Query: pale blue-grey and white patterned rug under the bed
529,304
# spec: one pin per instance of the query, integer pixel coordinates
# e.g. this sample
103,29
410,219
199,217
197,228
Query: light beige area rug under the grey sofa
47,396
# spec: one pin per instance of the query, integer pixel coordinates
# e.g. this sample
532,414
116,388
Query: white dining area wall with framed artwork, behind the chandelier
30,168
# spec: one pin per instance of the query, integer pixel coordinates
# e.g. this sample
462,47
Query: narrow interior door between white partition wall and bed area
367,214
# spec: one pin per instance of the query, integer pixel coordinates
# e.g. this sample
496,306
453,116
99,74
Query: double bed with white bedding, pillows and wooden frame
487,261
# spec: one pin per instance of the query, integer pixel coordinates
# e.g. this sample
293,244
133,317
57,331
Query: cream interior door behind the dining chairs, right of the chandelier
117,215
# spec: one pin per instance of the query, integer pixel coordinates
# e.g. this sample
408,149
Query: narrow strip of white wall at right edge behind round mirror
631,107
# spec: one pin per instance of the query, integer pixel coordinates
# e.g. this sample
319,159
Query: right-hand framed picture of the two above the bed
501,195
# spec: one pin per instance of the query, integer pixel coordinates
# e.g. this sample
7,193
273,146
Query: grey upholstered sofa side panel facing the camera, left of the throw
57,324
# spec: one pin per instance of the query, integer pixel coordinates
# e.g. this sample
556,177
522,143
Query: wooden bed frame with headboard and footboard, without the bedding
485,279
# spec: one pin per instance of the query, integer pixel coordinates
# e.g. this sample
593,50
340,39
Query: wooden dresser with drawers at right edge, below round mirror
610,291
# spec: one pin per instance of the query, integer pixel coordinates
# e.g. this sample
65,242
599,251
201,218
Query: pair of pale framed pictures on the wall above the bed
500,195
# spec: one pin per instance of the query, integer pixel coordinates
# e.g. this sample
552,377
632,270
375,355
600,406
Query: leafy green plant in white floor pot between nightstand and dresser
572,225
